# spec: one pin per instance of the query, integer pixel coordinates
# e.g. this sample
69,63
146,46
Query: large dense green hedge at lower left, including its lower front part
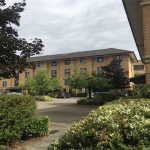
17,119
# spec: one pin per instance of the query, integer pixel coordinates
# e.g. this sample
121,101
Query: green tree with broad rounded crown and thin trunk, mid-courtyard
88,81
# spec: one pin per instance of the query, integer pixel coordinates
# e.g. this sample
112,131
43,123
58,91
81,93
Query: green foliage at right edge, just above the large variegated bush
142,90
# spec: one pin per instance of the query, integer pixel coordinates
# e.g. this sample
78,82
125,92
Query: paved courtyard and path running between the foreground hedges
62,112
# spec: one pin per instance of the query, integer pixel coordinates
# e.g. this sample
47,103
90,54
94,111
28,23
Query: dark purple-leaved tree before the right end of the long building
116,74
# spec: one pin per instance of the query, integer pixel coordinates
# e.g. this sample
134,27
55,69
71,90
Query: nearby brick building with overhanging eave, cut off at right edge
138,12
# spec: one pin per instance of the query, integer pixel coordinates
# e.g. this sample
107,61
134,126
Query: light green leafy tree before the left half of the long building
41,83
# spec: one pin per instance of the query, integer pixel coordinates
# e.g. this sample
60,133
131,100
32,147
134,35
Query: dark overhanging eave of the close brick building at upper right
135,16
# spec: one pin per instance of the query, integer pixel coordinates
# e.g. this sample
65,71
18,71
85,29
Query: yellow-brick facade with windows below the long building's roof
75,65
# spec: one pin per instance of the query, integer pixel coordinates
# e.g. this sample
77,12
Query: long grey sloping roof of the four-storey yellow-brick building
110,51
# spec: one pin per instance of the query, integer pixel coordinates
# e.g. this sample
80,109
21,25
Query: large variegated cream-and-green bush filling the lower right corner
119,125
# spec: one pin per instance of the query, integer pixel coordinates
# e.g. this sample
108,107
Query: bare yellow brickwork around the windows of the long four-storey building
75,65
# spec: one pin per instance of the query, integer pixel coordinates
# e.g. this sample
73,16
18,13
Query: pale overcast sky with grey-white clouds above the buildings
76,25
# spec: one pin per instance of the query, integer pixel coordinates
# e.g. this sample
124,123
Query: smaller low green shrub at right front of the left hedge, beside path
37,127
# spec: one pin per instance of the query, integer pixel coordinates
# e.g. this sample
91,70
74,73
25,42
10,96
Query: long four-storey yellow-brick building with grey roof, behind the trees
62,66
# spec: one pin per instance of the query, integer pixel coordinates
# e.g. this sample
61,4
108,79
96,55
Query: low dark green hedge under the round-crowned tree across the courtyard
101,100
